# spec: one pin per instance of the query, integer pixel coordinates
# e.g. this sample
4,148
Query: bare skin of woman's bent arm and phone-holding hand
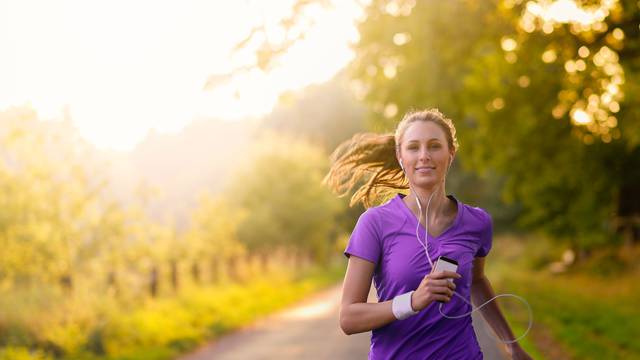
356,315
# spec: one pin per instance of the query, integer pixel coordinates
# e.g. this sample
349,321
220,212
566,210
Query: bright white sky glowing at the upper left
125,67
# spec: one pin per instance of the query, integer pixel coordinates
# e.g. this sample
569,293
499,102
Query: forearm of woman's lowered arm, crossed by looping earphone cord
481,291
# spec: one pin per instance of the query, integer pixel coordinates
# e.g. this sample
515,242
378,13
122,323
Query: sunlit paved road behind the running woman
309,330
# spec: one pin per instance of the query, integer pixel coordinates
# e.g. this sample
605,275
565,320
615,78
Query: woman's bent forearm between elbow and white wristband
360,317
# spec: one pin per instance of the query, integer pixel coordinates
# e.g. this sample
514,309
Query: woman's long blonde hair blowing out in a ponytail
375,155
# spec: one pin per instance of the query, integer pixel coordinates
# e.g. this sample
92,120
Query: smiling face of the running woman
425,154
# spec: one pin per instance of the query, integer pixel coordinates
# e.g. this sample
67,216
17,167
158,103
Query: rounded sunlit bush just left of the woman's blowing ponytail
287,207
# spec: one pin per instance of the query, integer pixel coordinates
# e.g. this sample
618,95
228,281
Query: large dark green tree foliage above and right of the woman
513,110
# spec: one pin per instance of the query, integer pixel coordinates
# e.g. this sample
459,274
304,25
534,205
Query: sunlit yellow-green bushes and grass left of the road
75,277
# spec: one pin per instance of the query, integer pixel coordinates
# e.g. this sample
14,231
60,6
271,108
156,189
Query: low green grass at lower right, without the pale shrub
591,325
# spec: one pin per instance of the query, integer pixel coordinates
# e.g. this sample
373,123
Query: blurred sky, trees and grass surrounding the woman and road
161,162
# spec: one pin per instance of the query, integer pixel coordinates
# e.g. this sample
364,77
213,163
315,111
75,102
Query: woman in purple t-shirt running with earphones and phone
407,322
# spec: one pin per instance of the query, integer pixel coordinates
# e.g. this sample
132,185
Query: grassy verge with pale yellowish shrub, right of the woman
588,316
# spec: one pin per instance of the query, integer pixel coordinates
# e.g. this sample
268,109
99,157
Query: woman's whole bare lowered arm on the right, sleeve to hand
481,291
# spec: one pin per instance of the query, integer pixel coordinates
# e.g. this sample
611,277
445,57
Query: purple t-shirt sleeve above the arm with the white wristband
365,239
